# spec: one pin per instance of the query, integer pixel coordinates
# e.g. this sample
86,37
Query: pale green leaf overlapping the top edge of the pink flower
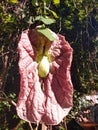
46,32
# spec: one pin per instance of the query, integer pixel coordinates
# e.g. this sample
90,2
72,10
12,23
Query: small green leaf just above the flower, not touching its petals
45,20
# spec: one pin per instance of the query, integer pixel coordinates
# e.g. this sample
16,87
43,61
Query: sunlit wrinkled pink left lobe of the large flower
31,97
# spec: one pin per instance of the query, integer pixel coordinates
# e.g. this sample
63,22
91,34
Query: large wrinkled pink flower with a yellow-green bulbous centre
46,90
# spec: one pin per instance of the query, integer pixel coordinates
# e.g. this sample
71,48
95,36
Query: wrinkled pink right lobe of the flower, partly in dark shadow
59,88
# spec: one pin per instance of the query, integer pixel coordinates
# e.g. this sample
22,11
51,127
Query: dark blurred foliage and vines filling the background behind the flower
77,20
